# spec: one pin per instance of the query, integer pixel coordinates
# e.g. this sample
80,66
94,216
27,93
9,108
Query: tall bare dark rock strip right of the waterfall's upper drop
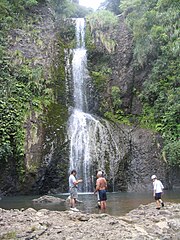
129,79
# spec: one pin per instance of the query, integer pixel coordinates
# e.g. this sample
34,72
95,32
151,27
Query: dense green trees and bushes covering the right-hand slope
155,28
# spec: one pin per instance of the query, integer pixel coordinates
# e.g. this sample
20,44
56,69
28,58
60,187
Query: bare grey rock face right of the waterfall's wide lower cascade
139,159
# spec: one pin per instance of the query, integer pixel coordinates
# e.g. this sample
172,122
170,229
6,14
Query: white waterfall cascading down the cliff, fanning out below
91,143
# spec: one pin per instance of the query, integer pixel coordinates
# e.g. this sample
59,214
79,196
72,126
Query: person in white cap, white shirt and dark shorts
157,191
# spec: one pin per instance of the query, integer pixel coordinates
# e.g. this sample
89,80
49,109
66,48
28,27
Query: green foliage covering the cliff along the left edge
22,88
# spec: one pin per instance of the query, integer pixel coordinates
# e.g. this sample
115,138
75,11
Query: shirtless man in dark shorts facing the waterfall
101,186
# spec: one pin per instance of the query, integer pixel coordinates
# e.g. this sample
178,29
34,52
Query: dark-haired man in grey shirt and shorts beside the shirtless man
73,183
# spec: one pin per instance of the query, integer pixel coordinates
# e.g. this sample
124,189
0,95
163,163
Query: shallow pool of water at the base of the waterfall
117,204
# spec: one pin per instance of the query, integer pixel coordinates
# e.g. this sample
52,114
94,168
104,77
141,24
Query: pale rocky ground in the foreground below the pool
145,222
